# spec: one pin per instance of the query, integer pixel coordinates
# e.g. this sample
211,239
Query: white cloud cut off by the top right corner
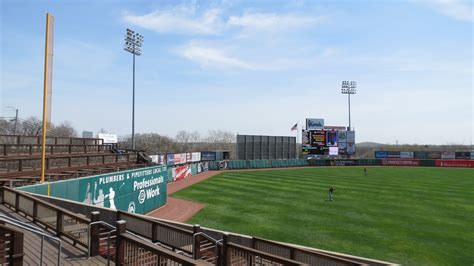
457,9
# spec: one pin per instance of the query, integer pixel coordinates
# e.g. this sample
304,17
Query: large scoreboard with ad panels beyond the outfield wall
328,140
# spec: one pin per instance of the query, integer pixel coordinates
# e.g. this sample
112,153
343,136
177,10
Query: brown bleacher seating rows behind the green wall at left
20,158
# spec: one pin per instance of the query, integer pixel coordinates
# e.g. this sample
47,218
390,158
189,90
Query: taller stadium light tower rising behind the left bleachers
133,45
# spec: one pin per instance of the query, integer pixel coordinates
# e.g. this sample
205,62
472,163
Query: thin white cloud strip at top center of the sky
271,22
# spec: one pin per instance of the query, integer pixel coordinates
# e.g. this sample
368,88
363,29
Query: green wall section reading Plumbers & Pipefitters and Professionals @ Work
137,191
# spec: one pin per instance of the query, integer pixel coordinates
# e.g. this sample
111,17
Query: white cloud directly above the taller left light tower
181,19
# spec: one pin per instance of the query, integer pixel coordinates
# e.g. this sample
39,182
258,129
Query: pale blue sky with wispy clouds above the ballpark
249,67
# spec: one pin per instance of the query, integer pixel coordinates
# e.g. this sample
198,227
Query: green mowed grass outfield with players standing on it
412,216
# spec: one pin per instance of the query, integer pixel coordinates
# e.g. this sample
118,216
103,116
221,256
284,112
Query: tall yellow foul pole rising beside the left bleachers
48,61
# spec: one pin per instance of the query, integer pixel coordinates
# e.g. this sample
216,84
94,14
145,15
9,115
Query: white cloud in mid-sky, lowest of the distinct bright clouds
212,57
